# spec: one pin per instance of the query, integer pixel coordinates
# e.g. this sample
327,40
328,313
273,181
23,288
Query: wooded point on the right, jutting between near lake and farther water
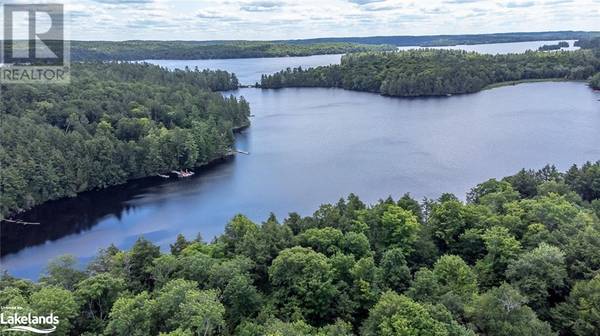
433,72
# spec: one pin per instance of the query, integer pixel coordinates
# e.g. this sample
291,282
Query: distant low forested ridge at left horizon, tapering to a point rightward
143,50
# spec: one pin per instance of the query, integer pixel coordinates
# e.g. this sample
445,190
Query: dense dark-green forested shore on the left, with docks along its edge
113,122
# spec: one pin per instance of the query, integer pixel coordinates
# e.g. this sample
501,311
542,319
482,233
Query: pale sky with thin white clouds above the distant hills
296,19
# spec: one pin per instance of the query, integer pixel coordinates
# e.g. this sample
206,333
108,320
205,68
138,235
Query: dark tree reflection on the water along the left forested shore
72,216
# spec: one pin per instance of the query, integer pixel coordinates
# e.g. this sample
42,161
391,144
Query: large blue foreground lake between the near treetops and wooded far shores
312,146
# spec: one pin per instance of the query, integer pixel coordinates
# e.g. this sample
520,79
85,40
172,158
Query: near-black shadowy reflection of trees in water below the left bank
74,215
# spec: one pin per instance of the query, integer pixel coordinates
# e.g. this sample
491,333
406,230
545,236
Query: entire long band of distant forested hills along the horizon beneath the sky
145,49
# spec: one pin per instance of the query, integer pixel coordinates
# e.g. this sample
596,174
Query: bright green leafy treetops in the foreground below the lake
520,258
